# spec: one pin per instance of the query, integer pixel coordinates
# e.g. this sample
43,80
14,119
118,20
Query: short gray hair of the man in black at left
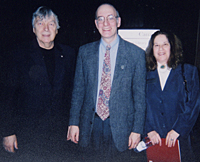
43,12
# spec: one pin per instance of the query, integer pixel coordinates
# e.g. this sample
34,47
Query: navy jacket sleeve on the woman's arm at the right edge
188,117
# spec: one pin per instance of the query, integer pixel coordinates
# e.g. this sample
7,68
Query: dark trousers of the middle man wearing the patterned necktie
102,147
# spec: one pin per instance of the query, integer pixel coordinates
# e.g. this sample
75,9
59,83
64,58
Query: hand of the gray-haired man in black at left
10,143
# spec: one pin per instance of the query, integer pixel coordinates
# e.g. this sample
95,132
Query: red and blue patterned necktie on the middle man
105,87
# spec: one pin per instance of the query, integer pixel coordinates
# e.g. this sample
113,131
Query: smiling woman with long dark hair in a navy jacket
171,94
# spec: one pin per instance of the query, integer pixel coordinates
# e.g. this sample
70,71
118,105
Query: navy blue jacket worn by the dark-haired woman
168,109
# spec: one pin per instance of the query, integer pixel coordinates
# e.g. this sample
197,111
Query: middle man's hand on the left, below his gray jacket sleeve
73,133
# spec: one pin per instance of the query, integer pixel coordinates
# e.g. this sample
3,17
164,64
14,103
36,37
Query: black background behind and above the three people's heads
77,20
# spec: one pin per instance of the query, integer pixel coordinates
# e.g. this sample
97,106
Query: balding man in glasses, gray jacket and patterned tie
121,127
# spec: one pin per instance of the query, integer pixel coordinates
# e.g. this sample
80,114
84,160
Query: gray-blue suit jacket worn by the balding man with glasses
127,98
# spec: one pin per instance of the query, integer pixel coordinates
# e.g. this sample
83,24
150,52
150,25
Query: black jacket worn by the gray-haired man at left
31,99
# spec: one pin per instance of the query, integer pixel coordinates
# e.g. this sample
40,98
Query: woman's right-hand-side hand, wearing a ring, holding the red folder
171,138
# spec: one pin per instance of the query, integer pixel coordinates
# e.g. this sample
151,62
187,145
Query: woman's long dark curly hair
176,51
